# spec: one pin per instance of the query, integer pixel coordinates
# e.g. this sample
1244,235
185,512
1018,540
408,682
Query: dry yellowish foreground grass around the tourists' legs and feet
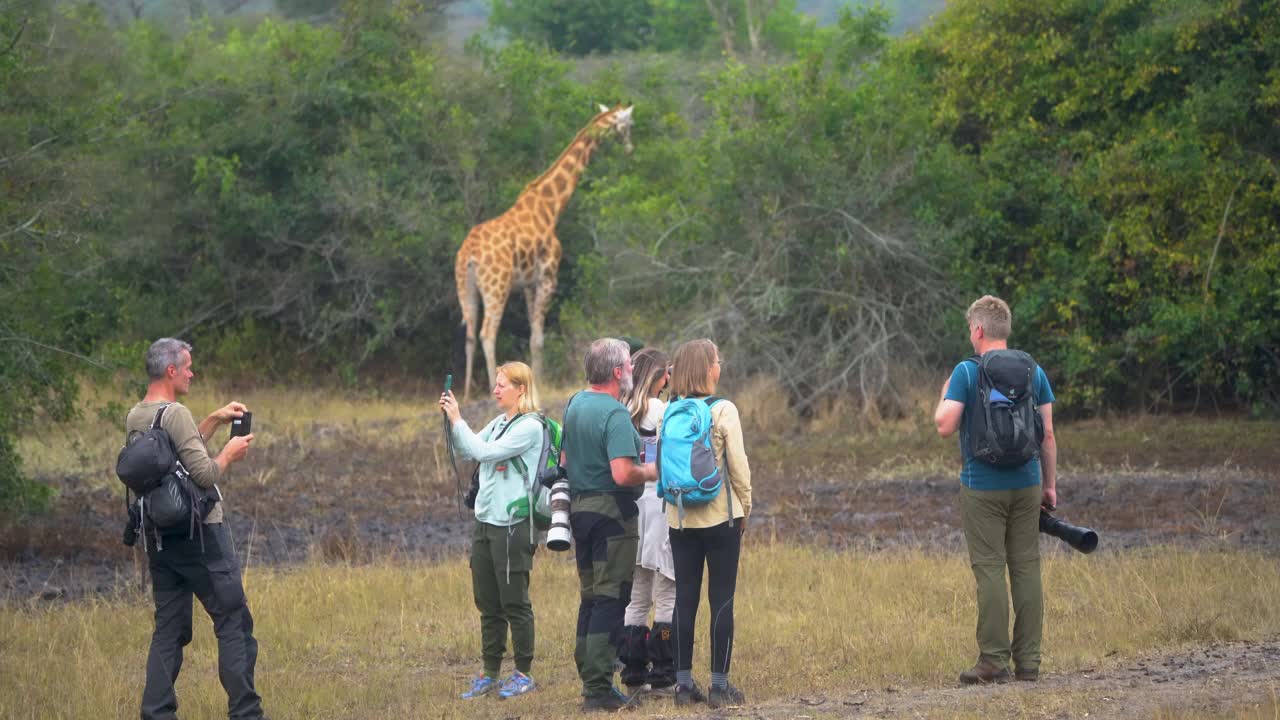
401,641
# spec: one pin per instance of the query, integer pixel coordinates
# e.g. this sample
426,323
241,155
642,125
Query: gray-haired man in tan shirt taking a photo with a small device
184,567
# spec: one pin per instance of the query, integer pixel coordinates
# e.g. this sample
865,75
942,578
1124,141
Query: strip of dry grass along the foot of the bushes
839,439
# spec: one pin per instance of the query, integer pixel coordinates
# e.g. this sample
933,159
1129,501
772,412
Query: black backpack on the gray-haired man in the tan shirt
167,499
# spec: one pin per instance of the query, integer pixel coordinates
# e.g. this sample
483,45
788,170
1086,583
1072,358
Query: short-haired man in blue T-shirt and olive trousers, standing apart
1000,511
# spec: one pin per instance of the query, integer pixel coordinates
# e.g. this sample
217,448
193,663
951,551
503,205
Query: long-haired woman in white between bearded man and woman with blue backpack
647,655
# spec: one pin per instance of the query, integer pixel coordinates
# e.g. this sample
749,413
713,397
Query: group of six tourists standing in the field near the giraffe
636,553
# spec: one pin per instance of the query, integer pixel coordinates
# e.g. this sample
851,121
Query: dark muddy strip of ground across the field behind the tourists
356,498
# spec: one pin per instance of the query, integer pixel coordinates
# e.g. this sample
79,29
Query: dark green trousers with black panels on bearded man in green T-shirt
606,539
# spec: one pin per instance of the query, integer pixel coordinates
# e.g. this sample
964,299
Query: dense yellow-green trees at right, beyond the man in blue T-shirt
1130,184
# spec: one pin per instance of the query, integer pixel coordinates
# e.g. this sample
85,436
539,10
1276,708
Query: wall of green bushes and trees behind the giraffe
291,197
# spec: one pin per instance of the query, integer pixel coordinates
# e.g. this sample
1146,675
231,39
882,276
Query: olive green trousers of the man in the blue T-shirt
1002,528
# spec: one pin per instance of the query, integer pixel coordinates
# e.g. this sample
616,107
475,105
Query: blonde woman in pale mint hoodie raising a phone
502,552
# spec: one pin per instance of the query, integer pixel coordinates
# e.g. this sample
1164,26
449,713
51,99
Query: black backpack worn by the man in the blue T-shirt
1005,430
